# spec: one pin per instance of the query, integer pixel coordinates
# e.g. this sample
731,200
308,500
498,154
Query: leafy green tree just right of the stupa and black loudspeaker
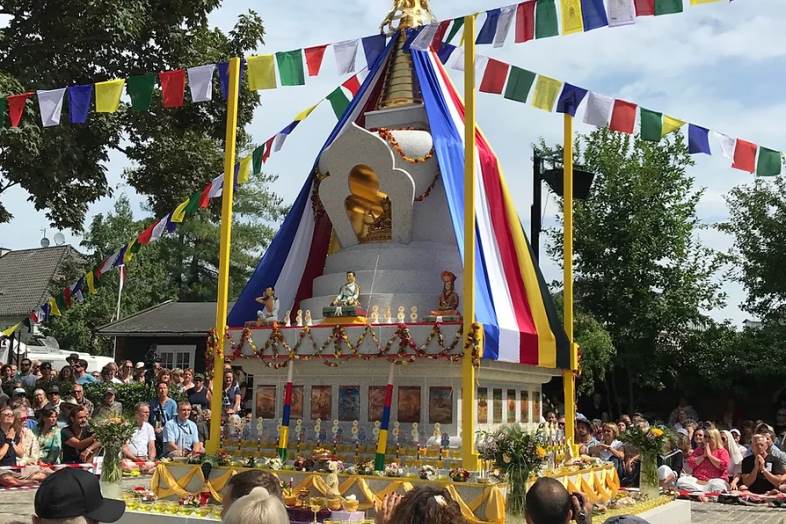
639,269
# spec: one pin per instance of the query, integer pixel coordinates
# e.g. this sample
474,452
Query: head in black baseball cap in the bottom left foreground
71,493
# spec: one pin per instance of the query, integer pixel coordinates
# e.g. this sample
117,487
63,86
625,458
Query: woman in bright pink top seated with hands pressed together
709,464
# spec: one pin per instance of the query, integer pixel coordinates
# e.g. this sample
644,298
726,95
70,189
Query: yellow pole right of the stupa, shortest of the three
568,376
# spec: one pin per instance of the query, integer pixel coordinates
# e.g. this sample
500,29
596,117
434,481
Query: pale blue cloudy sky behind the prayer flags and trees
718,65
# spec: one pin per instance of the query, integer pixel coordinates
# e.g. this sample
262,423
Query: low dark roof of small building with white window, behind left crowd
168,319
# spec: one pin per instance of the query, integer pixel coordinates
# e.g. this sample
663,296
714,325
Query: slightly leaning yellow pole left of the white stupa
227,195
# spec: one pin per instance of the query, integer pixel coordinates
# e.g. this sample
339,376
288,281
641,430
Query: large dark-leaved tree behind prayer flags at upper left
49,44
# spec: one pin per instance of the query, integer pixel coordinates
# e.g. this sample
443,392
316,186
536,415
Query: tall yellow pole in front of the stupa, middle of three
469,454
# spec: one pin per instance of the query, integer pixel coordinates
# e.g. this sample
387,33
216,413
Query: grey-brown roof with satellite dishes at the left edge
25,276
